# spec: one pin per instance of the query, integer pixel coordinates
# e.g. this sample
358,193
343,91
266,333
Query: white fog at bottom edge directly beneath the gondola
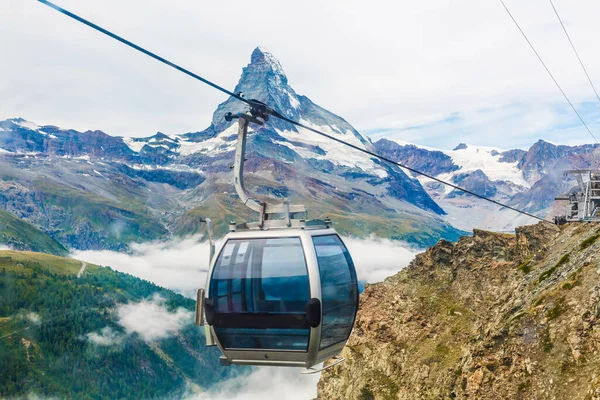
265,383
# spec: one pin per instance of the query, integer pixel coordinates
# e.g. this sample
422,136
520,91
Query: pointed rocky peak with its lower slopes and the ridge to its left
94,190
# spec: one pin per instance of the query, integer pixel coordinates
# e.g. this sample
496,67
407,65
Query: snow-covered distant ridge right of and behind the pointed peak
528,180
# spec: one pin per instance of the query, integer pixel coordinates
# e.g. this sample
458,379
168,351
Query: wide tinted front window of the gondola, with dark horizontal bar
260,288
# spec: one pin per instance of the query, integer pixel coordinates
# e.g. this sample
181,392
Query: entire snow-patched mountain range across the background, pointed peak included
95,190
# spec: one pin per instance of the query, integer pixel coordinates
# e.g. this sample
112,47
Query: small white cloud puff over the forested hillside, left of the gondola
152,320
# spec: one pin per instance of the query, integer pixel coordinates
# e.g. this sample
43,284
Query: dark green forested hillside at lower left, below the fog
47,315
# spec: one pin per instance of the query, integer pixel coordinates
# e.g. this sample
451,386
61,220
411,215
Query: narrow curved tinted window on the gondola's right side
339,289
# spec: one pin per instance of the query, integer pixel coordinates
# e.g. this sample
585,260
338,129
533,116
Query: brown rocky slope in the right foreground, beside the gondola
493,316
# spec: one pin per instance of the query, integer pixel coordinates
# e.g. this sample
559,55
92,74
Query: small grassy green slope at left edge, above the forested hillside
21,235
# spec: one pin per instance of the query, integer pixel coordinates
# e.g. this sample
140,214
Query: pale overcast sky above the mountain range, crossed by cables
435,73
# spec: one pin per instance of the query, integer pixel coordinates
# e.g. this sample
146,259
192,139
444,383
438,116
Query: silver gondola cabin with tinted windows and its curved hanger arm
280,291
